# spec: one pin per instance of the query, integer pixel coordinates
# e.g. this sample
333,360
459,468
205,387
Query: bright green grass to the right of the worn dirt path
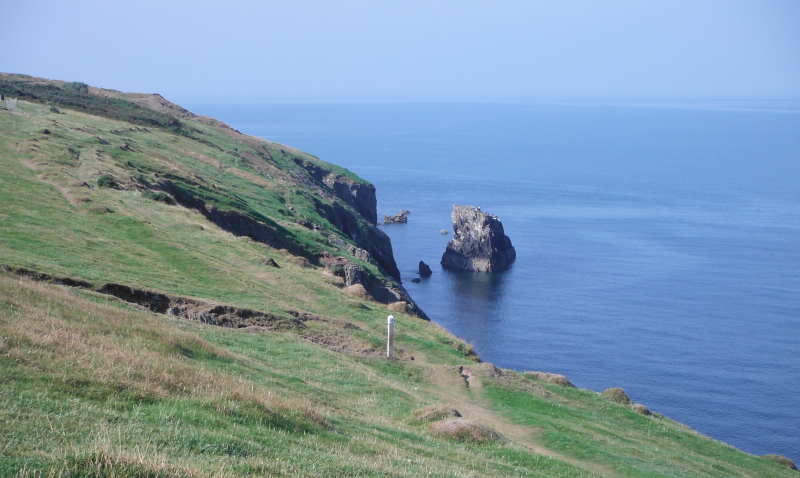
588,426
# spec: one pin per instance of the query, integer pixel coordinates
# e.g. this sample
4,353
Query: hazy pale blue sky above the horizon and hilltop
411,49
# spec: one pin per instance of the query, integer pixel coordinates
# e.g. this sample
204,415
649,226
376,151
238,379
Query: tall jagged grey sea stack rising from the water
479,242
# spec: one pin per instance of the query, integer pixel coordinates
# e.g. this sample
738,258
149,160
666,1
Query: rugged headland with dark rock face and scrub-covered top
309,195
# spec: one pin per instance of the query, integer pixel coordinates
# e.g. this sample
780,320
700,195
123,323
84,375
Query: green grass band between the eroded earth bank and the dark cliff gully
162,247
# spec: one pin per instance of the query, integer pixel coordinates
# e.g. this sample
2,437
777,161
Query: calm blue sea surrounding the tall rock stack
658,245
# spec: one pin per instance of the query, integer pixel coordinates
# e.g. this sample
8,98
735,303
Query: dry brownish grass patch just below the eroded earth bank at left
92,347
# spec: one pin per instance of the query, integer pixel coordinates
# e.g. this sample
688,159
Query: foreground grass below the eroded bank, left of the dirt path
193,397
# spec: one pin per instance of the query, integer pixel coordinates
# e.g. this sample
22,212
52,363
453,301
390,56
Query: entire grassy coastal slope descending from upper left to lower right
94,386
